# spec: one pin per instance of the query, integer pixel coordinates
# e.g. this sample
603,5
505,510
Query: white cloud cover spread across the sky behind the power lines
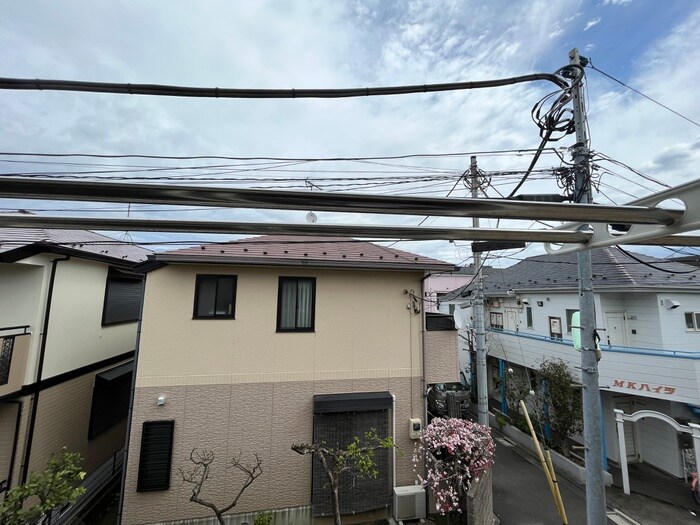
326,44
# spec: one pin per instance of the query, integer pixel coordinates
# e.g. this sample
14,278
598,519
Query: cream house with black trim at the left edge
68,322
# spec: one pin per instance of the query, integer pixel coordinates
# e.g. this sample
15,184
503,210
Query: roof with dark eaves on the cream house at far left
19,243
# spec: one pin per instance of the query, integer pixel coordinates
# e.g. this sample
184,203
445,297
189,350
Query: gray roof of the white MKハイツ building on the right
612,270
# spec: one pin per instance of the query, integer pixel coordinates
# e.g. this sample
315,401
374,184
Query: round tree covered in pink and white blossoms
456,452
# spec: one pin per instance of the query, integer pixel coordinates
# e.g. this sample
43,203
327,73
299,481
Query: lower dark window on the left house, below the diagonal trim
110,398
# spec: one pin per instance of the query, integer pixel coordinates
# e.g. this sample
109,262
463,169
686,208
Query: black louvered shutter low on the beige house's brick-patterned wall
156,456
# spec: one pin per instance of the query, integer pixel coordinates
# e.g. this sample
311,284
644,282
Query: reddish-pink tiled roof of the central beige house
288,250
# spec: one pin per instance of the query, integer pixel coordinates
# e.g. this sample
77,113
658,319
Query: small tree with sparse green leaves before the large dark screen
357,458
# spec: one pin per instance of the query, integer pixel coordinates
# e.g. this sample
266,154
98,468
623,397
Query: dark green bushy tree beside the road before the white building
561,406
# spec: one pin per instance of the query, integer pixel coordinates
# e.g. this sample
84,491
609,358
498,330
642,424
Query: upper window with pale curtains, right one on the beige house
296,303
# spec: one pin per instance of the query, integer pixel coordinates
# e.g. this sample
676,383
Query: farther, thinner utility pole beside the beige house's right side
480,336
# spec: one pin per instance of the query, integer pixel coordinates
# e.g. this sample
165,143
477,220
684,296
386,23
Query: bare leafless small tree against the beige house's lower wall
198,474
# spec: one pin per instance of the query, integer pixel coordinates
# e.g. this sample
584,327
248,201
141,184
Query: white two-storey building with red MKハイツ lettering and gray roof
649,324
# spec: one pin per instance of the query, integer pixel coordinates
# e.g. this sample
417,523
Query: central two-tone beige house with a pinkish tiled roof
254,345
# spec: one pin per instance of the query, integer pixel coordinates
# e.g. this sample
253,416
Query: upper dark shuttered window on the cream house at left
123,293
